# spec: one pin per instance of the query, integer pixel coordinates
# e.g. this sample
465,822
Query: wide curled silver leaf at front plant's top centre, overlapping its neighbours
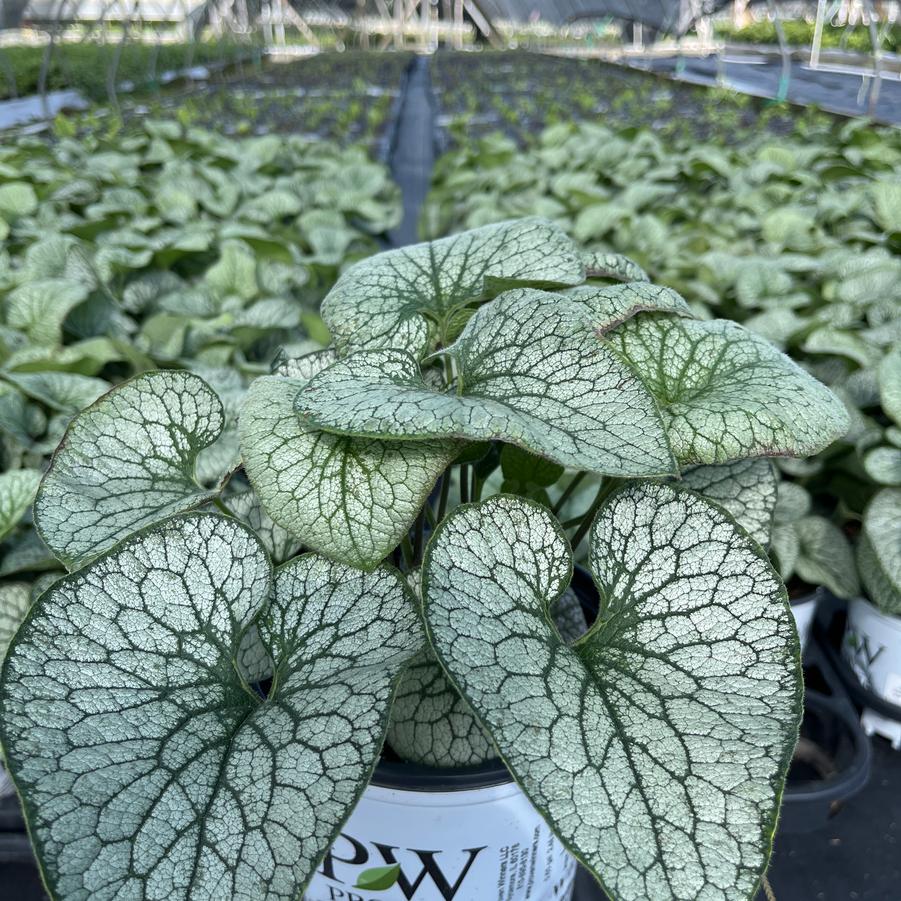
531,373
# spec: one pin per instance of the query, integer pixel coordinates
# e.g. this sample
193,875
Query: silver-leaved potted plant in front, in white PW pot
181,720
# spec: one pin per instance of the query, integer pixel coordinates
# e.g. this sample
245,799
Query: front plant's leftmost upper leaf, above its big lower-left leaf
127,462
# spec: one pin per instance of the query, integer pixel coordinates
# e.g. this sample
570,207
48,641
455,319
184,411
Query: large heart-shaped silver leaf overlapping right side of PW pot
658,744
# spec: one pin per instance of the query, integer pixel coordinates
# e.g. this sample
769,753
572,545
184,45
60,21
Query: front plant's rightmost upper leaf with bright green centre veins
726,393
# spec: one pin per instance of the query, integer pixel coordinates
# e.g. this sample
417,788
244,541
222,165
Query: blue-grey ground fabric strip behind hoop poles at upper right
844,92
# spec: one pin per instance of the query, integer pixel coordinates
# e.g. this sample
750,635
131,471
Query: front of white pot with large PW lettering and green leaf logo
486,844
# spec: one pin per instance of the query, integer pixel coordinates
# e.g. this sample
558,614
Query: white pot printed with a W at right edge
872,647
